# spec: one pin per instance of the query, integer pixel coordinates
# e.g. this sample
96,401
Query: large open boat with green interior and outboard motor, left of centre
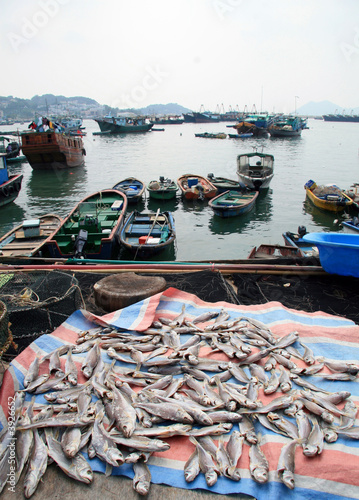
91,229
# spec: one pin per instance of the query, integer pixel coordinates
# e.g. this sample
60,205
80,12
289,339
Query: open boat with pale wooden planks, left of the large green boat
28,238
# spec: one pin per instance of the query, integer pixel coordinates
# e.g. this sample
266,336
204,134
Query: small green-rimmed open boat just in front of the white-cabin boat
233,203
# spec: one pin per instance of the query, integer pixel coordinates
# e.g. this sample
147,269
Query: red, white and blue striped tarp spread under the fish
331,475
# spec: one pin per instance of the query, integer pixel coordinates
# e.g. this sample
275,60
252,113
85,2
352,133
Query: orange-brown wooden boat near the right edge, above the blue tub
330,197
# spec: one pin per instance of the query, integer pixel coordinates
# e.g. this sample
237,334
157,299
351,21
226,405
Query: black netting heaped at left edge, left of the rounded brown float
37,302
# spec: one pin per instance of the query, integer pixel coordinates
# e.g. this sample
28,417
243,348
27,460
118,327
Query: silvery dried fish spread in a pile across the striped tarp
158,386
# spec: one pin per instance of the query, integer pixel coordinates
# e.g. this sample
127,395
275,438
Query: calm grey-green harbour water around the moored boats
326,153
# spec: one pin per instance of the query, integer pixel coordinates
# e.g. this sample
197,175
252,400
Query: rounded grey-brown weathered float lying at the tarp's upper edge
121,290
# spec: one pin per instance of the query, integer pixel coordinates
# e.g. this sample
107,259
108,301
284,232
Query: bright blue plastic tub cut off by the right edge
338,252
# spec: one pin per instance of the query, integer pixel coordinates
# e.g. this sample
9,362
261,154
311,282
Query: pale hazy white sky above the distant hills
272,53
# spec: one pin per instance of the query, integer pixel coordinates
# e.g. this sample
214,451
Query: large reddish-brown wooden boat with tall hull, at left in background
52,150
